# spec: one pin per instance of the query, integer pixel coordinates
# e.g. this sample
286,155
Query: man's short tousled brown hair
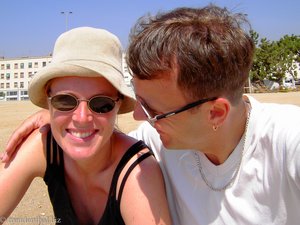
207,46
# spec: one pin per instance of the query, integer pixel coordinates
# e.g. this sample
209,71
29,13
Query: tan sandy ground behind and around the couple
35,207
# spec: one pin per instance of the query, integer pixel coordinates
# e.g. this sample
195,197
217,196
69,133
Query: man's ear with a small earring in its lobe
218,112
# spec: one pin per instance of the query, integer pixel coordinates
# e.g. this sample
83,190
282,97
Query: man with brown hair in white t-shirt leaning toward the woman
226,158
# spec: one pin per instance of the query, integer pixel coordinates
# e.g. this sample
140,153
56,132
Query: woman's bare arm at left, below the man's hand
28,162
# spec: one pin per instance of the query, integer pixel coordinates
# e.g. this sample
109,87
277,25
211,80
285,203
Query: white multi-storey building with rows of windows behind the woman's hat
15,74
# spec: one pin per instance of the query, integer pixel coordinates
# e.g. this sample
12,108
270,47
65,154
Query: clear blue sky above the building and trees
30,27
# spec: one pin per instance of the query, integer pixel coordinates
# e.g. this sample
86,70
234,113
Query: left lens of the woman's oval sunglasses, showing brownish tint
64,102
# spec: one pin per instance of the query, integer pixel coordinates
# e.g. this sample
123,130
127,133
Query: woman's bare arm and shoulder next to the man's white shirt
144,198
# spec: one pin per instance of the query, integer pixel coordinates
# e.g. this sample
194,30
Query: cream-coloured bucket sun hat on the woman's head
84,52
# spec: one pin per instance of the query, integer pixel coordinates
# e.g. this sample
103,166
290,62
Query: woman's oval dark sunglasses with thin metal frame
98,104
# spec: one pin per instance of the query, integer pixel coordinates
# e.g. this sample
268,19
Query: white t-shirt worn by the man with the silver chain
267,187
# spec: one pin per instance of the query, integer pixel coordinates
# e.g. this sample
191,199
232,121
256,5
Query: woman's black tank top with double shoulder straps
59,196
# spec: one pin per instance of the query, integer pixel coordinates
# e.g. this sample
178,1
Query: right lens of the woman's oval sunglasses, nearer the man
101,104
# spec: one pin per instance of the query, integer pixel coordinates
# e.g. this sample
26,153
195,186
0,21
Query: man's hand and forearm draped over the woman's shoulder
39,120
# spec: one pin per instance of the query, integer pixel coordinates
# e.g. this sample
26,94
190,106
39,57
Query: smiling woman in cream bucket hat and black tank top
95,174
